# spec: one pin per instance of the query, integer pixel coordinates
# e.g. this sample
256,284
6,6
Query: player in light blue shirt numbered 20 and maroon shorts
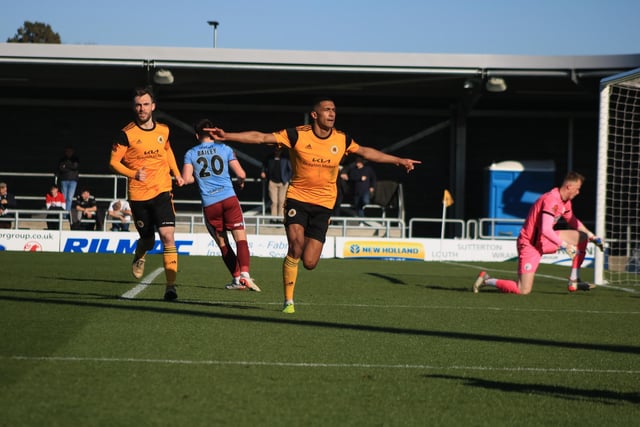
208,164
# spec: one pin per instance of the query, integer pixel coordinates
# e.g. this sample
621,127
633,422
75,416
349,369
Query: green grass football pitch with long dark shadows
371,343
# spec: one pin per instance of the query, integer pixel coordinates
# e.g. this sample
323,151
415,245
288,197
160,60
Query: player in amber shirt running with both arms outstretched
315,152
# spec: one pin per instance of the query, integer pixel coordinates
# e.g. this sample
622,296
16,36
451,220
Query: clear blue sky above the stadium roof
521,27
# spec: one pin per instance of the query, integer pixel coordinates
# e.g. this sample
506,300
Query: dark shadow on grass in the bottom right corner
606,397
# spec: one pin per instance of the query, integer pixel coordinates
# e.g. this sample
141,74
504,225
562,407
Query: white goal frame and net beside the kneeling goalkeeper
618,195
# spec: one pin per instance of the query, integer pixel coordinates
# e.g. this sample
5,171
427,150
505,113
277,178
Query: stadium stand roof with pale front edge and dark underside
390,83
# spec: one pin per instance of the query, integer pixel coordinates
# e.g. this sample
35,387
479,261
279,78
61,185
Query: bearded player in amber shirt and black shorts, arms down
142,152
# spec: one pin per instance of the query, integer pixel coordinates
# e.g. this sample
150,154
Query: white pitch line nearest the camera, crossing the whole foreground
317,365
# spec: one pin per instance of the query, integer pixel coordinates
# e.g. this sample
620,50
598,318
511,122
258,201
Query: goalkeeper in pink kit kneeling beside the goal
538,237
